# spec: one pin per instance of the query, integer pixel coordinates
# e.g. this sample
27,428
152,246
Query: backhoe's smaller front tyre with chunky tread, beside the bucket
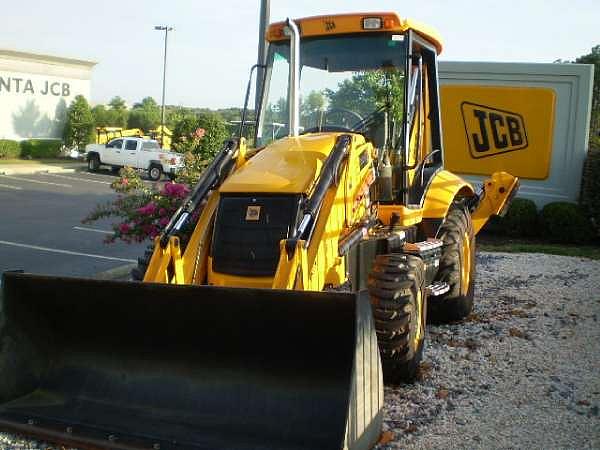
397,290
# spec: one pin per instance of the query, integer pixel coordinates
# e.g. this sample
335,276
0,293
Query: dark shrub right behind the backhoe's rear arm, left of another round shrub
520,220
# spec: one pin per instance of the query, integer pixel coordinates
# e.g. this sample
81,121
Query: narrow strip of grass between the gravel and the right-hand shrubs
497,244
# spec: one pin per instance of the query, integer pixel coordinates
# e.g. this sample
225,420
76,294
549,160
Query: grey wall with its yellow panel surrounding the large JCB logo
553,170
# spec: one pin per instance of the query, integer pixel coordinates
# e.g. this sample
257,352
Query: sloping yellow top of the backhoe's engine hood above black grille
287,166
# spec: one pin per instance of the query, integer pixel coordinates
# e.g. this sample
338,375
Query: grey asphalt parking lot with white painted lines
41,230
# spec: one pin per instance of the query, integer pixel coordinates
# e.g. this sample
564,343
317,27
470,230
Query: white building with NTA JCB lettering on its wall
35,92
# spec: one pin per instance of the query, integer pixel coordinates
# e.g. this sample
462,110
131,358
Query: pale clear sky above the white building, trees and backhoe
214,44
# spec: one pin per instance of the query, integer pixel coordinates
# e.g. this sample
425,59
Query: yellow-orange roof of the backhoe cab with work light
353,23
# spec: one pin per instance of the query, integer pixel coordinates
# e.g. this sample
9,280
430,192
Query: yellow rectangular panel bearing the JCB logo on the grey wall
498,128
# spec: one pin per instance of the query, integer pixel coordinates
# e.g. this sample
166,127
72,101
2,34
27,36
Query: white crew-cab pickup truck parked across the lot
134,152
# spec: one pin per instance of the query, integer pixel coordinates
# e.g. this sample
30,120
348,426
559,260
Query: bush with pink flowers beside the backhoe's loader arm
142,211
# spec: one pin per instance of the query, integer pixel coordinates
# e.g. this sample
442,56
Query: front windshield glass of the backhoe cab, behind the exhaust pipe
346,83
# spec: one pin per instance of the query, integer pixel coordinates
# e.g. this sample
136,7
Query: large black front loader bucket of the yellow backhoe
106,364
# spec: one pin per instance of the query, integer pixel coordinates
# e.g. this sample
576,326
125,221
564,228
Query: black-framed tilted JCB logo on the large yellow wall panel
492,131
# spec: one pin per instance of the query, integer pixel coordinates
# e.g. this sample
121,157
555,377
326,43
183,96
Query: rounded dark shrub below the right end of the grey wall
565,223
